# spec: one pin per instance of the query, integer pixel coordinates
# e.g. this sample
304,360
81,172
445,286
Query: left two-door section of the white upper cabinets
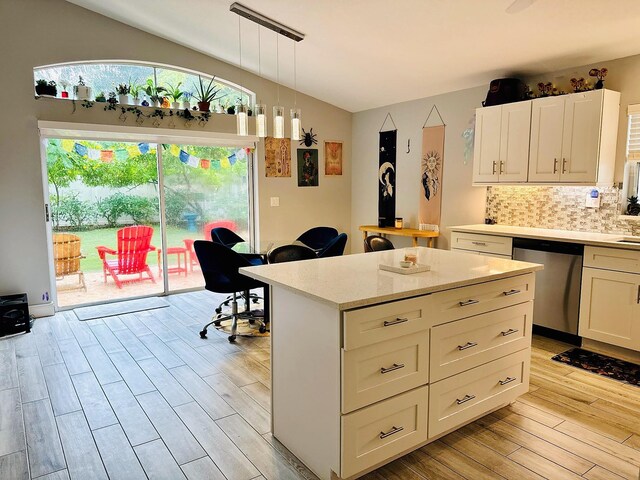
501,149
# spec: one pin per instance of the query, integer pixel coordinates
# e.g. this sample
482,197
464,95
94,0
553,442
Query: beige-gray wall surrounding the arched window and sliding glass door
42,32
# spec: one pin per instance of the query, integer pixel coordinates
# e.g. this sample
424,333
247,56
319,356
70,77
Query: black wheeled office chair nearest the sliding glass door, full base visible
220,266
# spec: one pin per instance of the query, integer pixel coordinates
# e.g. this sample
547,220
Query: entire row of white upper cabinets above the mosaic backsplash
572,140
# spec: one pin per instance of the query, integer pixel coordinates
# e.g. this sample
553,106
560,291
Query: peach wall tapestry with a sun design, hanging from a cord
431,169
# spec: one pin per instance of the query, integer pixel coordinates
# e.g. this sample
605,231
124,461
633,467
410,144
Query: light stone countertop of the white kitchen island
352,281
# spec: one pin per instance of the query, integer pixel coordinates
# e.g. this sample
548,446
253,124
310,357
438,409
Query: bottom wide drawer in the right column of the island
458,399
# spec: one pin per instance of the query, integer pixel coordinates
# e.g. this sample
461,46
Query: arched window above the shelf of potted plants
104,77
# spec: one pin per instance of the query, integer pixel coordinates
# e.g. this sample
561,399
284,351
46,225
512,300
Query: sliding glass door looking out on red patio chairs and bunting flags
120,211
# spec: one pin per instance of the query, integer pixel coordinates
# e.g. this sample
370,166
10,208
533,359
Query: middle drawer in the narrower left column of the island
384,369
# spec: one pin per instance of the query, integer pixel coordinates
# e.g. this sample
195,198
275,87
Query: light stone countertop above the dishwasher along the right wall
569,236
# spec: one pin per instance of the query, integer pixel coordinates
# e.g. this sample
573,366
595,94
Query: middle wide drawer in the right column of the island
461,345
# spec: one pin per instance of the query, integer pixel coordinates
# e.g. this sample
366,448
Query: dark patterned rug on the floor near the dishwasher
601,364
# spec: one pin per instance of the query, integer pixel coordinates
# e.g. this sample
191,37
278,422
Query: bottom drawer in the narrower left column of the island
375,433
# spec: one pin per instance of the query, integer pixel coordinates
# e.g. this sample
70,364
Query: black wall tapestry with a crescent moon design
387,176
